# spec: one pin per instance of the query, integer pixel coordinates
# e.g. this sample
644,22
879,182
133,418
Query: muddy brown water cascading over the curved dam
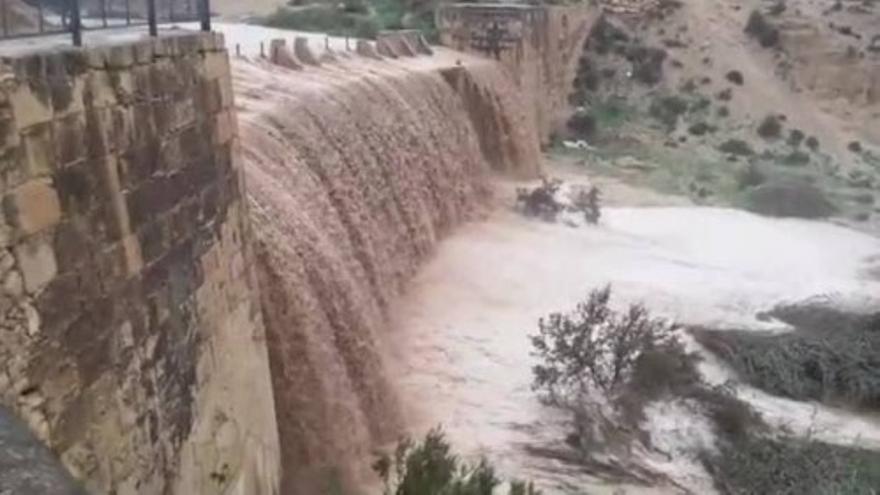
354,172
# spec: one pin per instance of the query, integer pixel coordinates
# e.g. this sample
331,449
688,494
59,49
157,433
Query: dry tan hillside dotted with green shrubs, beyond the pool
737,102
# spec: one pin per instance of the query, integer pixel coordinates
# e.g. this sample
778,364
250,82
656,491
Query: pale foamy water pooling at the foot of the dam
461,340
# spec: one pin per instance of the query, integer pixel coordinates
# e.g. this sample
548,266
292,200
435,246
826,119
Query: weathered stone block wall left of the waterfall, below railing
131,338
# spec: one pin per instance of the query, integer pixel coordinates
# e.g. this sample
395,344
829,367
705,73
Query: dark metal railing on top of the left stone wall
30,18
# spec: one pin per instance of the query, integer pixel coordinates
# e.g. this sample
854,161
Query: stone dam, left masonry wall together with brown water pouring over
200,257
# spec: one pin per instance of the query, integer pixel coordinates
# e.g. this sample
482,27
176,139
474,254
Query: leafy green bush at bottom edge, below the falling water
430,468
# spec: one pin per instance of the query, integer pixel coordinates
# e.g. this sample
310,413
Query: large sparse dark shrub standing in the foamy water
596,358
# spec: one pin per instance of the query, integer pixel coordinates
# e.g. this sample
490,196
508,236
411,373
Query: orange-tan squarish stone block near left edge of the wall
33,206
